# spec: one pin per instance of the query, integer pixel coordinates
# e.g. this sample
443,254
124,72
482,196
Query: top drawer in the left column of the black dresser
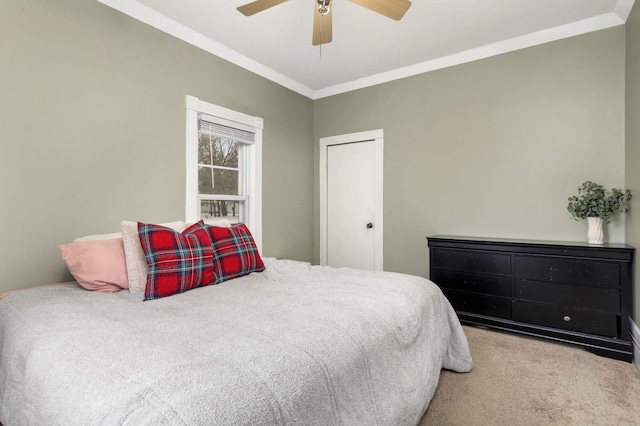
470,261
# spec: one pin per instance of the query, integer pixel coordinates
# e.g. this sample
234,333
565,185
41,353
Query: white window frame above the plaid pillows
252,163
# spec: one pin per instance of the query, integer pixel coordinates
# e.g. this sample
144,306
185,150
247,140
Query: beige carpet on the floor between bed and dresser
522,381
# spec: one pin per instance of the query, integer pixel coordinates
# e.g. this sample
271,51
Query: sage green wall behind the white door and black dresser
494,147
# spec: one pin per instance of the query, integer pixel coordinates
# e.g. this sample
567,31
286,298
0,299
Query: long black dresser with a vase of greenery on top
568,292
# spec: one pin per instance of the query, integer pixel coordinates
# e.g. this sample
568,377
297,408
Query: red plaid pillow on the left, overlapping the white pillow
177,261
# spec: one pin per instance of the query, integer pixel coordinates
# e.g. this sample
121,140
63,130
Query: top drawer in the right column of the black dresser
569,271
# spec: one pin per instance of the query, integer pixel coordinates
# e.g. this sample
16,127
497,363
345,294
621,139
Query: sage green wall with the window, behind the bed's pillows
93,132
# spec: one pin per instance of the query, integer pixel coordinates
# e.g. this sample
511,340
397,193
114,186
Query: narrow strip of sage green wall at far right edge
633,140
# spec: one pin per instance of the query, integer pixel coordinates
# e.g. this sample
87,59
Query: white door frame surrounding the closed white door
377,136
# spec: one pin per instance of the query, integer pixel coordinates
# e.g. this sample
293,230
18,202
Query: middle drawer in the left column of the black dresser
486,284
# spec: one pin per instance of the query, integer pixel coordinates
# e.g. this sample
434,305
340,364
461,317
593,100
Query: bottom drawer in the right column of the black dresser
566,318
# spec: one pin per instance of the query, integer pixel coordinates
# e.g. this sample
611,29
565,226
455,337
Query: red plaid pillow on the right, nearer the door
234,252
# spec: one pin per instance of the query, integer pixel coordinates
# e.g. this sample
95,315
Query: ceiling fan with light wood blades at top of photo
394,9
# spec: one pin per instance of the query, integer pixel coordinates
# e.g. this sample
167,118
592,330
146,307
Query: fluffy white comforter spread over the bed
294,345
